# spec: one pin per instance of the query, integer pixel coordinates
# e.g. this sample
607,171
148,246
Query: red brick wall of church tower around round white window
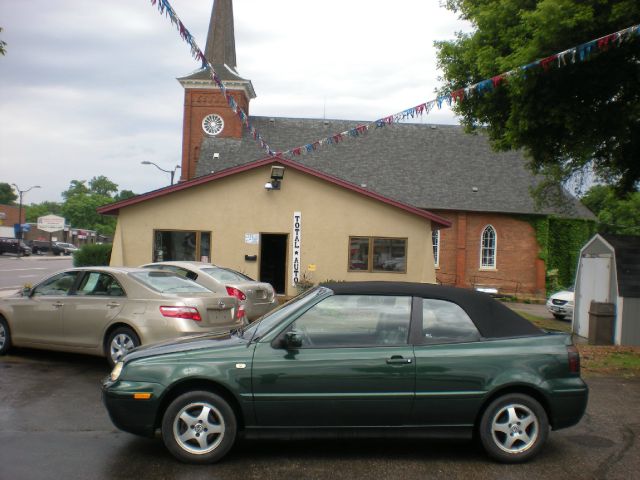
198,103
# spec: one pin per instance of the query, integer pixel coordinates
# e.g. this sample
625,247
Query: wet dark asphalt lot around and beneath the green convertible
53,425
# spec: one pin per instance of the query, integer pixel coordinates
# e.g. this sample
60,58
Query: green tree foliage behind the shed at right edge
615,215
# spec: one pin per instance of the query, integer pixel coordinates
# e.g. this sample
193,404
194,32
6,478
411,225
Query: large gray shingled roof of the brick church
427,166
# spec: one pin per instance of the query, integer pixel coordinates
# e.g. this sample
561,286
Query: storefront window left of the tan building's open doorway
181,246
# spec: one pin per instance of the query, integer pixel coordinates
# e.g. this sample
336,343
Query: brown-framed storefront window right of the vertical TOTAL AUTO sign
387,254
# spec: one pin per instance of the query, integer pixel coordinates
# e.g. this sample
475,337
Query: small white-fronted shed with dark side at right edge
609,271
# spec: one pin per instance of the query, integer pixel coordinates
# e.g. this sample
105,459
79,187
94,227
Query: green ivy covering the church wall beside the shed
560,241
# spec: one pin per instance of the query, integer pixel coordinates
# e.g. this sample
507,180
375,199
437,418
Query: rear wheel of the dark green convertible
513,428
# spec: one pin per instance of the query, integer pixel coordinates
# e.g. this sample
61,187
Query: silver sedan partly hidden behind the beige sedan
258,298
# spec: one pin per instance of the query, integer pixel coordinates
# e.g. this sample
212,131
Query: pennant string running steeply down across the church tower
165,8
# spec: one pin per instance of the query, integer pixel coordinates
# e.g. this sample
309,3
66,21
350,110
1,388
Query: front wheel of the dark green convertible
199,427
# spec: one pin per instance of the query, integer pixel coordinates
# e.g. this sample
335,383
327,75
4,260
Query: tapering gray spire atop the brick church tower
221,41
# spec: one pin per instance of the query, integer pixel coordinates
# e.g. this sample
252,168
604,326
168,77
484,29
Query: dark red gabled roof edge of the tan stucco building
114,208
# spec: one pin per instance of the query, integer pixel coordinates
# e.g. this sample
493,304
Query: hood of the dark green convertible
185,344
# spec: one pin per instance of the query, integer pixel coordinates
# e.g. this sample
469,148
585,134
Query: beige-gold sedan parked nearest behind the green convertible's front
107,311
